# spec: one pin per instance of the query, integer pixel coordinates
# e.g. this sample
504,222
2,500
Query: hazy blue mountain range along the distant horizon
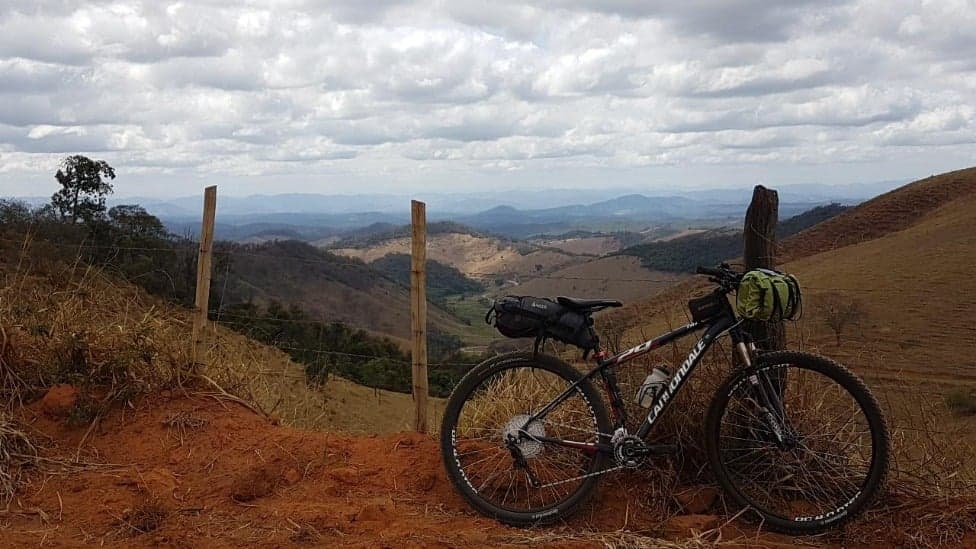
517,214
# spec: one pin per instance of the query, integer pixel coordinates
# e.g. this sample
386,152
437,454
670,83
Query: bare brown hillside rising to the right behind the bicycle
905,259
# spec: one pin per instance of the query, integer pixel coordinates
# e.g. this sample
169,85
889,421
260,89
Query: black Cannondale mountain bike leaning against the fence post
795,438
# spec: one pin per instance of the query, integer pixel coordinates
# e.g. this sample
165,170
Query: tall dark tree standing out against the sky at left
84,186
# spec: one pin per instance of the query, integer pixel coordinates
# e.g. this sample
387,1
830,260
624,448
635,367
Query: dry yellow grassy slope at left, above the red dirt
64,322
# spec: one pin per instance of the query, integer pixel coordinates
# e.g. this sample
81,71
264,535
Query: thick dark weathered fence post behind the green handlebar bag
759,235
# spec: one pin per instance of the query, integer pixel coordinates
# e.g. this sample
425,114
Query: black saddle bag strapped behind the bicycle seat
540,318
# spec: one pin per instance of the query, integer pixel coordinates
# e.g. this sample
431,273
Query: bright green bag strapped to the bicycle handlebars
767,295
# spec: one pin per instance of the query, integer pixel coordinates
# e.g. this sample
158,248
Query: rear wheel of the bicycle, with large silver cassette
497,460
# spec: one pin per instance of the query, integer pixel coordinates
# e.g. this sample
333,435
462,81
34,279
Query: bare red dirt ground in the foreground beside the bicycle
181,471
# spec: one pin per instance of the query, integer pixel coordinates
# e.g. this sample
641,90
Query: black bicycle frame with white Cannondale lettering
713,327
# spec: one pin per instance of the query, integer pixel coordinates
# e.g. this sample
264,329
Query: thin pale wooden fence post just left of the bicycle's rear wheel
418,312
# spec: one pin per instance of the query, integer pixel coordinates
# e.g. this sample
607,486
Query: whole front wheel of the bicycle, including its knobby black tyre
809,464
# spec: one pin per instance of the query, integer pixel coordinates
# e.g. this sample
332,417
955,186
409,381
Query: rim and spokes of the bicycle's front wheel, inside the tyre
819,474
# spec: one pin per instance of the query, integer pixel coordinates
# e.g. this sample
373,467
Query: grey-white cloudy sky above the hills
386,95
